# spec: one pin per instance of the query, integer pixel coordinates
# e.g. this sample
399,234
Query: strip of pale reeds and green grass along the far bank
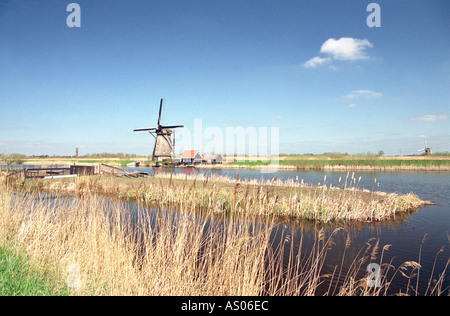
330,161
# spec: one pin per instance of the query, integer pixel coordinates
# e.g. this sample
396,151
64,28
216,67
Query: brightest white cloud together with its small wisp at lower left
345,48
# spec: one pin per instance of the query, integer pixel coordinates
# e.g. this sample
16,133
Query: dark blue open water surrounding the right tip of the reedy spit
405,233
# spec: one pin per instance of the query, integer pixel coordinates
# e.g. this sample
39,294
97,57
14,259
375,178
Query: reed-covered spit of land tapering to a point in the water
214,195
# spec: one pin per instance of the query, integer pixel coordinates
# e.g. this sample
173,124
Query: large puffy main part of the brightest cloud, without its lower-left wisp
346,48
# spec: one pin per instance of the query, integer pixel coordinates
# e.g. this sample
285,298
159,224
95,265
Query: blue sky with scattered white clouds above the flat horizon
312,68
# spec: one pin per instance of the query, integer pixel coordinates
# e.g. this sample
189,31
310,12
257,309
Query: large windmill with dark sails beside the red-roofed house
163,138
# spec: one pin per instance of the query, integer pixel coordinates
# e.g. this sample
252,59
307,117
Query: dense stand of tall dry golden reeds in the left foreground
155,254
